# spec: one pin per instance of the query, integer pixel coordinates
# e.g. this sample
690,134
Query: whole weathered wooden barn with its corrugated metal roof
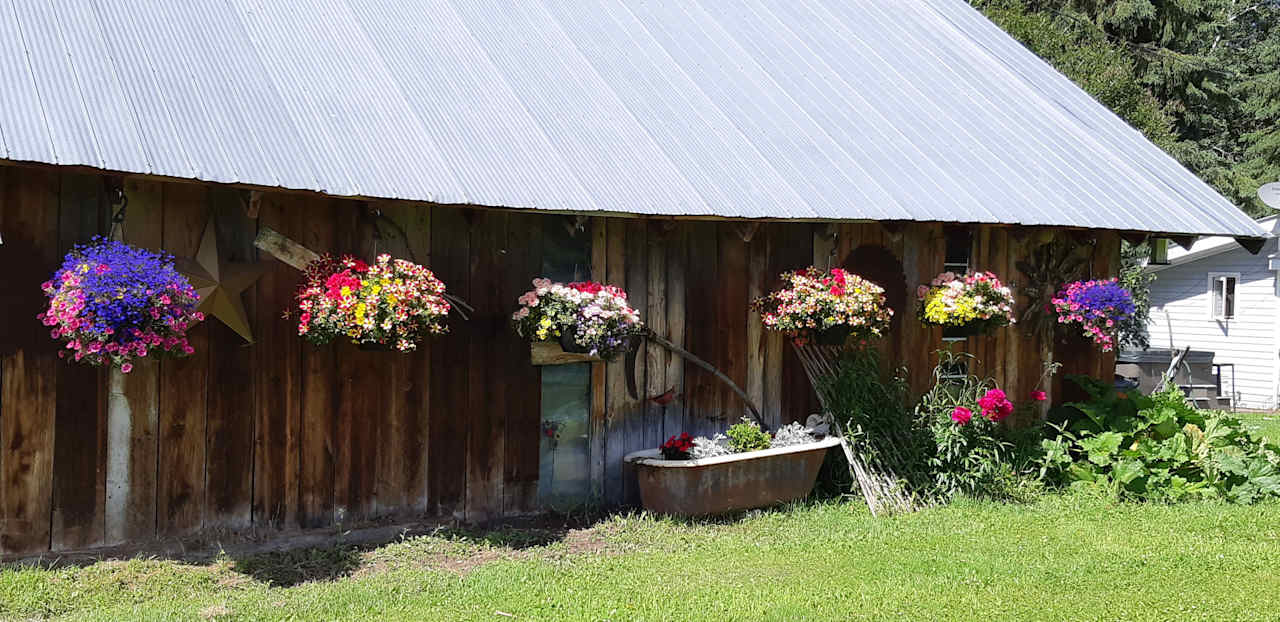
688,153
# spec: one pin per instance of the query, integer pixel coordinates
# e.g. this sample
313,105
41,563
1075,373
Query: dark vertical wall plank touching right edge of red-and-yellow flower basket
450,367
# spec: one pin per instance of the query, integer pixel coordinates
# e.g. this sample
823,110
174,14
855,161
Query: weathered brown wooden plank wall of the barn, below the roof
281,435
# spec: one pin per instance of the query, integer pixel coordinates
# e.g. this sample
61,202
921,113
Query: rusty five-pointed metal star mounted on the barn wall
221,283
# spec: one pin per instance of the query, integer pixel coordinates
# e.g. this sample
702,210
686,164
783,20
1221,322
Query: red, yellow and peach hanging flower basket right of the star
391,305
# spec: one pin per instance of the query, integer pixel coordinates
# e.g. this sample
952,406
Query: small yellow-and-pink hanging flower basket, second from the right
966,305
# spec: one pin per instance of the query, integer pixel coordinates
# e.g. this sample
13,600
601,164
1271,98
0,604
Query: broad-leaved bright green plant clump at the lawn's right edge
1158,449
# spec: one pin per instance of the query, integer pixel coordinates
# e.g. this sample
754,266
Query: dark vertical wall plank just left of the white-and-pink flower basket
487,403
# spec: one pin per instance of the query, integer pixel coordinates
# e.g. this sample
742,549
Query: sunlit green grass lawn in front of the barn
1059,559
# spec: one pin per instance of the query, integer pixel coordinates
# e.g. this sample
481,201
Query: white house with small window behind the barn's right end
1219,298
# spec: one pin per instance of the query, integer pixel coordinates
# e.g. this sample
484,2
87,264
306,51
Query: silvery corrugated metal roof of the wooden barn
817,109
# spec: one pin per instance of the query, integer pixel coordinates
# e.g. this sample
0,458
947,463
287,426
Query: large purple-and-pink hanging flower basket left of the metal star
113,304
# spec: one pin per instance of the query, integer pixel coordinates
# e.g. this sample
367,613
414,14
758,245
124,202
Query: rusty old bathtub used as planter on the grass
728,483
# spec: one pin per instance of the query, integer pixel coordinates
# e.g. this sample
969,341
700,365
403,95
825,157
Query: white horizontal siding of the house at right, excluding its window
1181,317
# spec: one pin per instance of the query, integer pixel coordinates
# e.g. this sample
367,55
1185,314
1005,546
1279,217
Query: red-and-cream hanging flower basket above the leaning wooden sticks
829,308
